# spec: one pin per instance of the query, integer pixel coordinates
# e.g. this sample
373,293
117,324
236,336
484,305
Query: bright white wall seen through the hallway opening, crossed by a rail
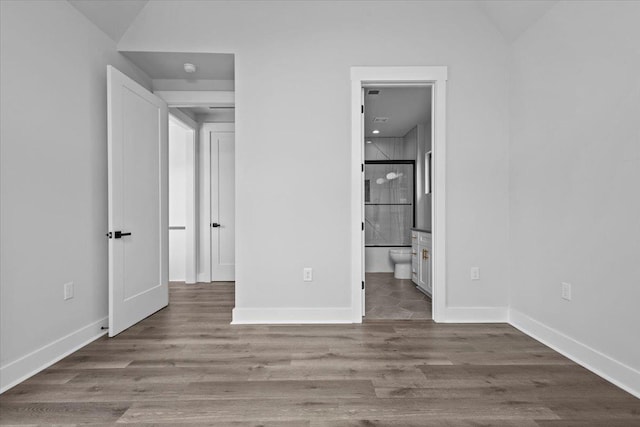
177,200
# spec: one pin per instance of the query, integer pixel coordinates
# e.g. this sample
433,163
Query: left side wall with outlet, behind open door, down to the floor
53,181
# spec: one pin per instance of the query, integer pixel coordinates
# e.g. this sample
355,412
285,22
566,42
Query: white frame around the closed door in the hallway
204,273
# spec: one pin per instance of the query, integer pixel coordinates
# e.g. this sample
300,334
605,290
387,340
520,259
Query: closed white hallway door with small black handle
223,228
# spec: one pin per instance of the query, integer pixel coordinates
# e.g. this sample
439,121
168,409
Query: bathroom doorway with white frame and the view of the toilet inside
398,192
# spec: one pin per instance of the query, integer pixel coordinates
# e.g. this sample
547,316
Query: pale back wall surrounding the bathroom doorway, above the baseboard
293,131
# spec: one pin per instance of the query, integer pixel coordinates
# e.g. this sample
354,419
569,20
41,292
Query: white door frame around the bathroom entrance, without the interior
437,76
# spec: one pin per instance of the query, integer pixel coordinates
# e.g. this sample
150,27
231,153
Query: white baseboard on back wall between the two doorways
249,316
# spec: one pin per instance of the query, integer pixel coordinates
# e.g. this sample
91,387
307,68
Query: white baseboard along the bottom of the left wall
15,372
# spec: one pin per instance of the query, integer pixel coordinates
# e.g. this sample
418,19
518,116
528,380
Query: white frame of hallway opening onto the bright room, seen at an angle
191,232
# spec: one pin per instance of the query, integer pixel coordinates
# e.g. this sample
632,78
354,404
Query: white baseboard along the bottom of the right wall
623,376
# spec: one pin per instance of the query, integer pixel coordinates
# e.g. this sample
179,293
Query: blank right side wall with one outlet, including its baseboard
575,184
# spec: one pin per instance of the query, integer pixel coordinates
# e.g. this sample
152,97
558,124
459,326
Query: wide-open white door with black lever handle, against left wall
138,202
